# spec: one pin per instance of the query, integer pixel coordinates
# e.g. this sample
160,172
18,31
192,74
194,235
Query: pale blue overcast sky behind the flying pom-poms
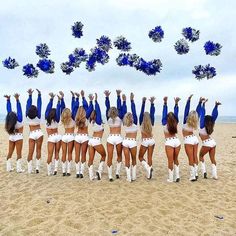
25,24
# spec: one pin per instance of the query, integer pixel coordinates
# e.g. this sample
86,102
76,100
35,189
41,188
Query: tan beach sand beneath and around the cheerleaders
40,205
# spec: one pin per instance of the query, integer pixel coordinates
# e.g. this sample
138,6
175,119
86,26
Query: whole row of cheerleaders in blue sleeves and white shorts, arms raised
77,118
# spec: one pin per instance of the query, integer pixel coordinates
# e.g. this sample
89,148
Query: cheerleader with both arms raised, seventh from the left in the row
114,119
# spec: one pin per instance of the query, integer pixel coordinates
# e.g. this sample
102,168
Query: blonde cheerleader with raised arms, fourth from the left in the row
67,119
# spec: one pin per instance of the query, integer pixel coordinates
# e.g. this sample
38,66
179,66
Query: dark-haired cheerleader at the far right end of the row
208,144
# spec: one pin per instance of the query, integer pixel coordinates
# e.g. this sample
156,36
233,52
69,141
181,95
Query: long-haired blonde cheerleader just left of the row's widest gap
146,121
